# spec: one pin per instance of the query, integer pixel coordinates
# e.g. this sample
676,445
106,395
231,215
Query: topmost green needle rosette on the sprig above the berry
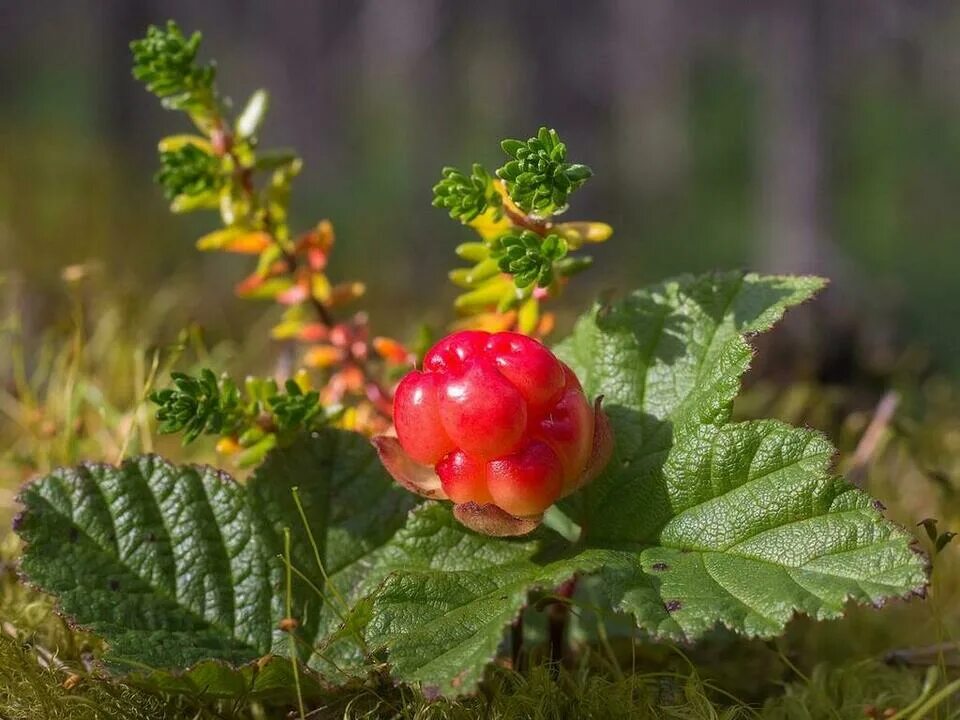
537,176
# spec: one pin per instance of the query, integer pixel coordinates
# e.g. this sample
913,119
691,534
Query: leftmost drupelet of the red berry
417,417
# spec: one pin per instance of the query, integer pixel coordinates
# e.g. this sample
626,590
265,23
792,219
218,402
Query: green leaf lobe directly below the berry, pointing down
442,613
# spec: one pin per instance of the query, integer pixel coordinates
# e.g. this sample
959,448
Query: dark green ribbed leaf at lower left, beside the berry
177,565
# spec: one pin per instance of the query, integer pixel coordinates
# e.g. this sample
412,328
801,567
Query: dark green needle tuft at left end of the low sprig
198,406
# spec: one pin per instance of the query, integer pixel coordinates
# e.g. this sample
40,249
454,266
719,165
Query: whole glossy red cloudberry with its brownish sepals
497,424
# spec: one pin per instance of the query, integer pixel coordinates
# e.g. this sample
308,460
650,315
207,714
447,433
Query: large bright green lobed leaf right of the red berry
739,524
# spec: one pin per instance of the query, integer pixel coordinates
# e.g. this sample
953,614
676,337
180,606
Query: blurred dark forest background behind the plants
782,135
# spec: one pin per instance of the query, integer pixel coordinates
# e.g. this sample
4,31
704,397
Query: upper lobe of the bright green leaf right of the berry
677,351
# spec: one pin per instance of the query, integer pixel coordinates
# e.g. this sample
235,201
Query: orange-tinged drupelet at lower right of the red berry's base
527,482
